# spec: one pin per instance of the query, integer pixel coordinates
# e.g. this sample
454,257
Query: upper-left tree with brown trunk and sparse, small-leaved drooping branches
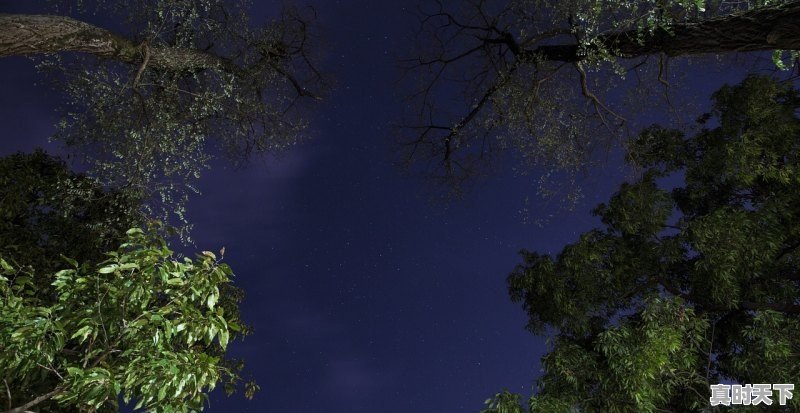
146,95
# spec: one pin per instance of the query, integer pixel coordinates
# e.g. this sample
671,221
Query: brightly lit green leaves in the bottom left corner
140,324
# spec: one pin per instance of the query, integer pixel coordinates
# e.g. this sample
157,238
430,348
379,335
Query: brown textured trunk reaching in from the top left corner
36,34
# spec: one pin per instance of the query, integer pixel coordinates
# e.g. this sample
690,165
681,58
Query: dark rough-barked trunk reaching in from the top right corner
768,28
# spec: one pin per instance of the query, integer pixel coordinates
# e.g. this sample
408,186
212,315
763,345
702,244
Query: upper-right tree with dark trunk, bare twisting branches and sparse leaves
542,77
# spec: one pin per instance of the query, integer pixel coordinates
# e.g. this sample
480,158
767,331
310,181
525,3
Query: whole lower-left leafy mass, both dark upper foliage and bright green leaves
110,324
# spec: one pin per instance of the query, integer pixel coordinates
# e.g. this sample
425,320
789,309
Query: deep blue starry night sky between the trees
365,295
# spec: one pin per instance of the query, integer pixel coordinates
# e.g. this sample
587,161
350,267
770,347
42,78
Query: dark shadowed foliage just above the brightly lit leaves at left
46,211
